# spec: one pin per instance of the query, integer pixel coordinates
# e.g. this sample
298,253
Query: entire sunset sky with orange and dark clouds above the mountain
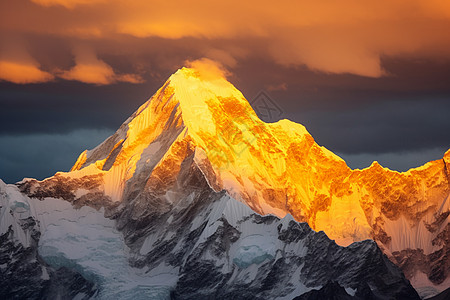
370,79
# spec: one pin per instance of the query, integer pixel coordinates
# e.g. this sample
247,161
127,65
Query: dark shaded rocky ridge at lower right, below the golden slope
358,268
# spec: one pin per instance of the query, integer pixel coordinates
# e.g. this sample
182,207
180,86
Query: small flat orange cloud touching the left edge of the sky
22,73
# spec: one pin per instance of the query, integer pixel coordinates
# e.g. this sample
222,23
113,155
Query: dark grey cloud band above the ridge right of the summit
382,127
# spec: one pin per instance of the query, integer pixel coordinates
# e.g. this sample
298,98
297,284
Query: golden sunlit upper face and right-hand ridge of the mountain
277,169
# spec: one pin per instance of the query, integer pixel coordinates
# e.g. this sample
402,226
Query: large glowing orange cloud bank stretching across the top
345,36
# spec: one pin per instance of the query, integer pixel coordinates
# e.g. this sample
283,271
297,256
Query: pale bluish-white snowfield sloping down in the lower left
83,240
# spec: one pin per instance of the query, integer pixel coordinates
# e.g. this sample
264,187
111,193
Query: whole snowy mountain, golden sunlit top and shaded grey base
194,197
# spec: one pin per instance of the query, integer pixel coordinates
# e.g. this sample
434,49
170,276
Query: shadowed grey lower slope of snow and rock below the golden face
199,244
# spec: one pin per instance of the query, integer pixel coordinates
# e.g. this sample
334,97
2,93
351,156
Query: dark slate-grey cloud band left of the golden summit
52,108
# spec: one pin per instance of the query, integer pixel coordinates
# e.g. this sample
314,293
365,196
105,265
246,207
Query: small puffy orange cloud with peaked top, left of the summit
89,69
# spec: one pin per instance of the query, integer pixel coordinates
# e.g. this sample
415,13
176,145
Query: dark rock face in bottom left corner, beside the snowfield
24,275
